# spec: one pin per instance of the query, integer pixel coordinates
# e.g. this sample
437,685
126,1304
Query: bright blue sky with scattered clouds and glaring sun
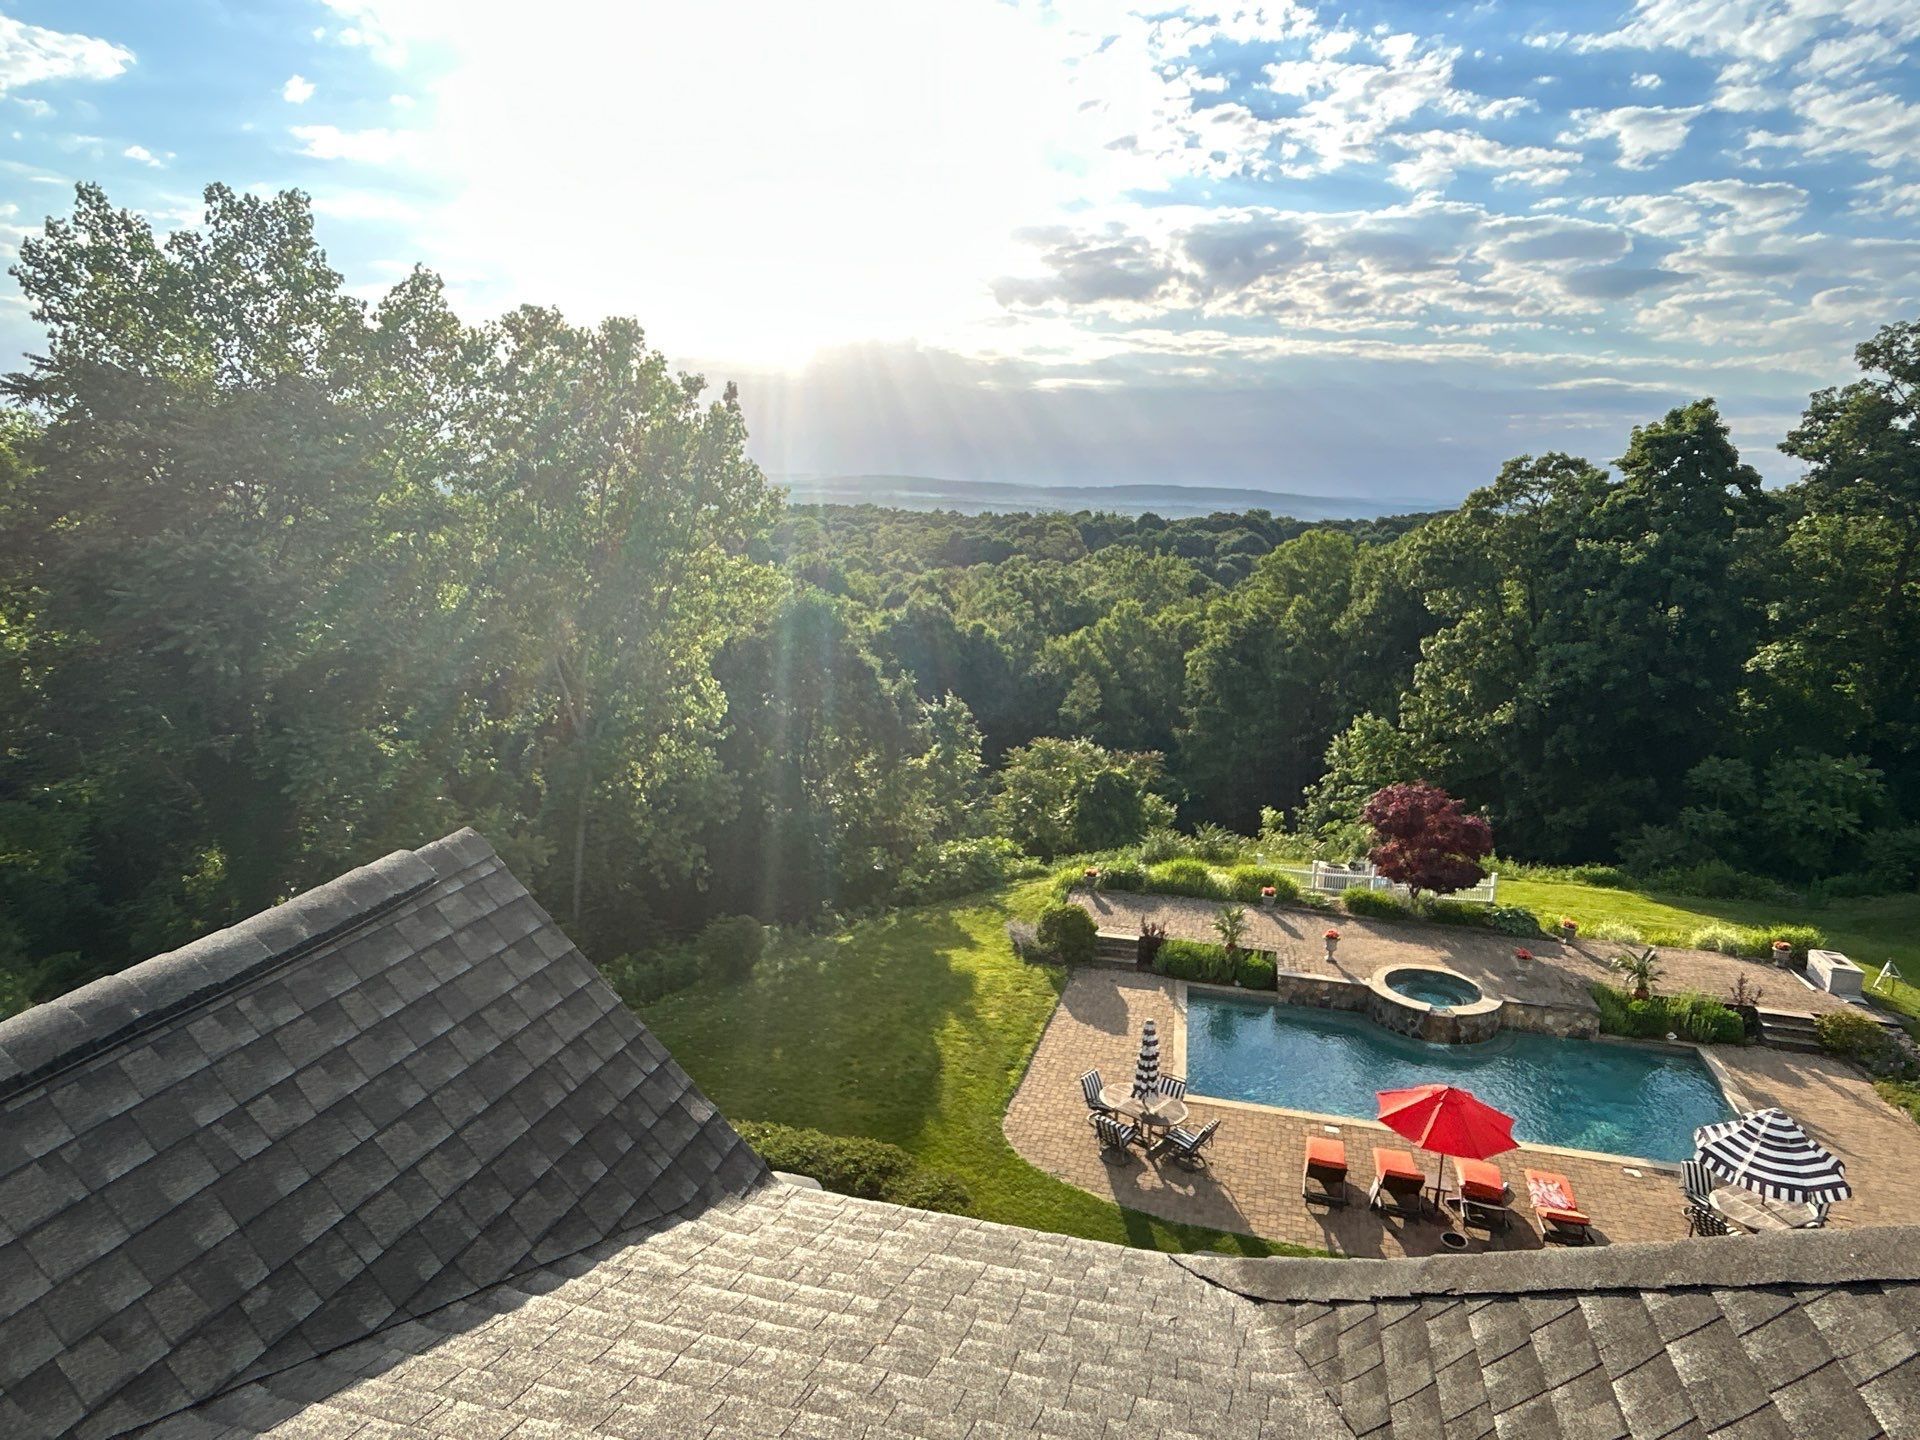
1368,249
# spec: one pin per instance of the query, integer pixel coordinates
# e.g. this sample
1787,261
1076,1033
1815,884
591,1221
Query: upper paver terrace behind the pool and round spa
1558,974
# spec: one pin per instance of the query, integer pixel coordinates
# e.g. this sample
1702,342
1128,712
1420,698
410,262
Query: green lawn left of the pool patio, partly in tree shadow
915,1030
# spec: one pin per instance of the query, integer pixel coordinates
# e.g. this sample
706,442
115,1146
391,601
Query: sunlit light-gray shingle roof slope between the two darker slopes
807,1314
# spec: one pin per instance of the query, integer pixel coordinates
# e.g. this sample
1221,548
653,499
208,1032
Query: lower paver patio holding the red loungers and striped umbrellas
1253,1184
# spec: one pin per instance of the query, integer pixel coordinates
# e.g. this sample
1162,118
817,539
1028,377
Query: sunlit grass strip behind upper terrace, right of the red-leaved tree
1869,932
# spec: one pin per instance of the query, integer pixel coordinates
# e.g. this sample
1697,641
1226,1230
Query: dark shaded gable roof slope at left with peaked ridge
364,1105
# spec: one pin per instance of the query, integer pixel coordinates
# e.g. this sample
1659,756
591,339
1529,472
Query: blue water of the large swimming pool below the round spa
1589,1095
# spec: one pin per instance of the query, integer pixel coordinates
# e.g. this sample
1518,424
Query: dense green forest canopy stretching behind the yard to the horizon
289,581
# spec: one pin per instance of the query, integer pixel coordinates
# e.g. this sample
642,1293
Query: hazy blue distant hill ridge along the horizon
917,492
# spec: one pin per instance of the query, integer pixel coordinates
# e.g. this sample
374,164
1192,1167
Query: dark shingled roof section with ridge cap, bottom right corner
1785,1335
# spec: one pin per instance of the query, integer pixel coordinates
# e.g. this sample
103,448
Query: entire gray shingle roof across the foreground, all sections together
393,1163
